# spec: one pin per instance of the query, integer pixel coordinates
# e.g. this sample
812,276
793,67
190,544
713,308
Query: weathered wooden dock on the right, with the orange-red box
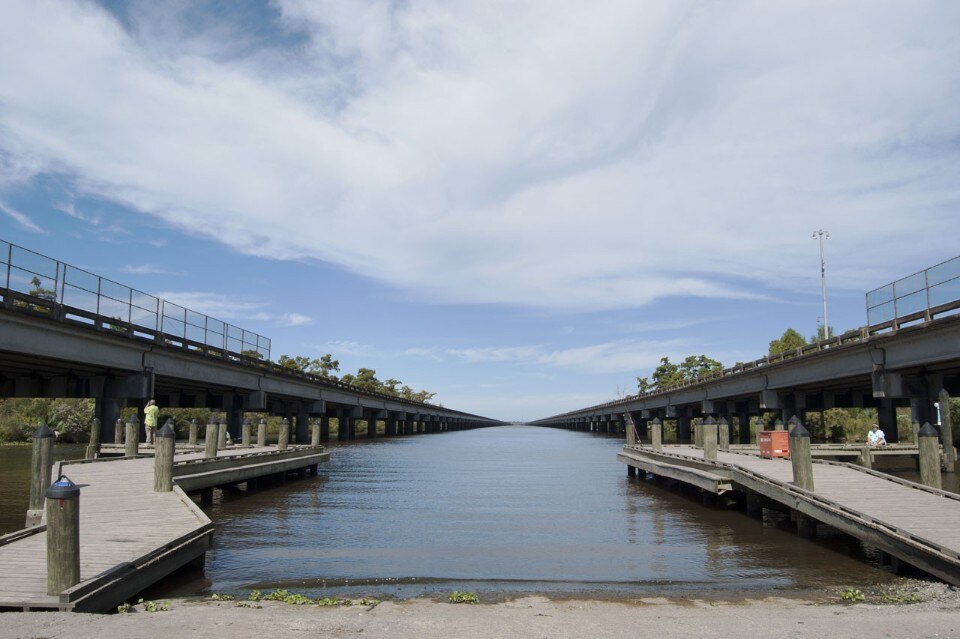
911,523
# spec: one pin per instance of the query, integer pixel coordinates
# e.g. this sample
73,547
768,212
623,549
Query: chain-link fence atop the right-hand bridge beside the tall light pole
922,293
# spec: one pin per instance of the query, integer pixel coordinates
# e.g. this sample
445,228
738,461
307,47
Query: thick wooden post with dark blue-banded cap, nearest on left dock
63,536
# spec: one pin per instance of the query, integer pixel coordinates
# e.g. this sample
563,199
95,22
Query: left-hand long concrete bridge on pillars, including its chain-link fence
65,332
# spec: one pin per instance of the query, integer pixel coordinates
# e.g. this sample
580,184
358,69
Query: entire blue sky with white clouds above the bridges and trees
518,206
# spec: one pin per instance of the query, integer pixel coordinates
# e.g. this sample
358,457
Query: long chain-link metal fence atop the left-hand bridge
49,286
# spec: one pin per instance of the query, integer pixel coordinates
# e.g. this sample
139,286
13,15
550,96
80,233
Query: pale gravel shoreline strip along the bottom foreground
933,611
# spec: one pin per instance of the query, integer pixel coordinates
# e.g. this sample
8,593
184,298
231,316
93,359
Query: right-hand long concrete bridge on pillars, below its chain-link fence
903,362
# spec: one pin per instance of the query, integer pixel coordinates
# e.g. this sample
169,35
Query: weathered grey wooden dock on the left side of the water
131,536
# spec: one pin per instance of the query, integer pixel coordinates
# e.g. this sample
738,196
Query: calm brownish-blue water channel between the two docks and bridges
498,511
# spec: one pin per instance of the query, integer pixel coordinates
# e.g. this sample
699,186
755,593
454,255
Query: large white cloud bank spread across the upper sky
566,156
